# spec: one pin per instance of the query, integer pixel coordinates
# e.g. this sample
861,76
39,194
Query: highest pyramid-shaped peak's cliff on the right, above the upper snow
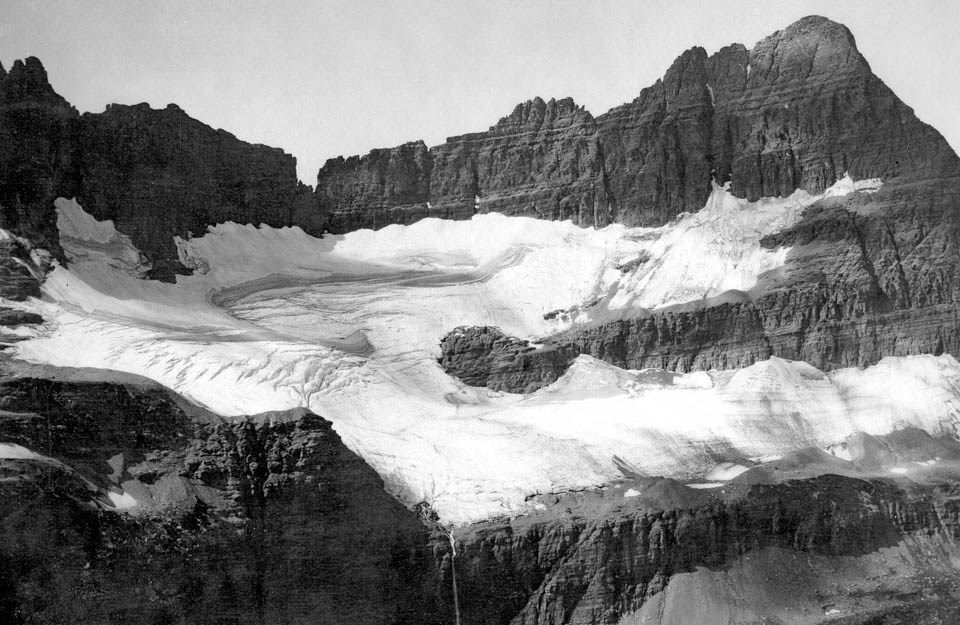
796,112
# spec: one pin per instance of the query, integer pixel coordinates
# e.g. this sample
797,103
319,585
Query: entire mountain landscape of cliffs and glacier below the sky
692,360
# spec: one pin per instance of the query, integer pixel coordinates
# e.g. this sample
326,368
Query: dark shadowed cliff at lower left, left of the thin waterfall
266,519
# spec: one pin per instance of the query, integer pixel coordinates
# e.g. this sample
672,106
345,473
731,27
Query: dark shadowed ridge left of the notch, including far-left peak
156,173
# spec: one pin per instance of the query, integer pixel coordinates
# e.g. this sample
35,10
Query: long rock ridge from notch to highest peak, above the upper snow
796,112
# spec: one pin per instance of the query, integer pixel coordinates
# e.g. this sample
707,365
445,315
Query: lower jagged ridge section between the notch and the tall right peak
543,160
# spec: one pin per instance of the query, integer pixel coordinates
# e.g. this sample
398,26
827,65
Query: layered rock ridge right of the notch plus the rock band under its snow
866,277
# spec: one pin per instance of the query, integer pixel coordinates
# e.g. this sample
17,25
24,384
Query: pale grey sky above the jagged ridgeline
340,77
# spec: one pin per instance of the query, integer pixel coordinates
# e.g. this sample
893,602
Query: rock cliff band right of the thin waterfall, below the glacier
595,569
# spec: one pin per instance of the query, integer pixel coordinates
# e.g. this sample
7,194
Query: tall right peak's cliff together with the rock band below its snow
868,275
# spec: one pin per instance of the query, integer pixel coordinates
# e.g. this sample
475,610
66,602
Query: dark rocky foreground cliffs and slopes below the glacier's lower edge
125,503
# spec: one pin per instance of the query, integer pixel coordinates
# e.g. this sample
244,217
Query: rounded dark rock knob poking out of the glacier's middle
485,356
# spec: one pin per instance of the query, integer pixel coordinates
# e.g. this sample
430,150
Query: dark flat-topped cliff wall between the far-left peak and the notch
160,173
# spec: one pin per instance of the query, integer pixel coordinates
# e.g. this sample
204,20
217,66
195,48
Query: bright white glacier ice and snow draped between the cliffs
349,326
